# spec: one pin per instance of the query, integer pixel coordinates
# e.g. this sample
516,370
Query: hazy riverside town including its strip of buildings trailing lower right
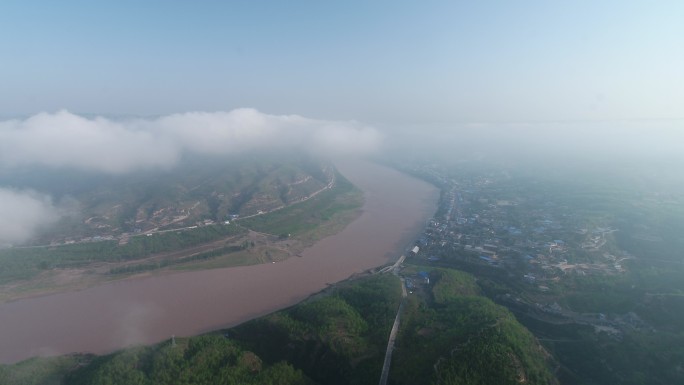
489,223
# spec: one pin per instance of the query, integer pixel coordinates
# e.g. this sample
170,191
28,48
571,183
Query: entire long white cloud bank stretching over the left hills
66,140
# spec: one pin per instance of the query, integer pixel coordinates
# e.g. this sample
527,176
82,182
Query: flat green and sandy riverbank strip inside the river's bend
267,238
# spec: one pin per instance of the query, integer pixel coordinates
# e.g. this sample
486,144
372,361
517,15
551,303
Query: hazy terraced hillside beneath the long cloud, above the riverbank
198,191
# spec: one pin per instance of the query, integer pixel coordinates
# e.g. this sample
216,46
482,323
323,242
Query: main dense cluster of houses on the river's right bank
499,222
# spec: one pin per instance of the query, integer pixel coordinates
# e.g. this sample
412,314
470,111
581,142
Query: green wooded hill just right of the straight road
452,335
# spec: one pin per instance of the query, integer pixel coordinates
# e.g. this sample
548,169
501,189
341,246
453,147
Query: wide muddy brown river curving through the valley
140,311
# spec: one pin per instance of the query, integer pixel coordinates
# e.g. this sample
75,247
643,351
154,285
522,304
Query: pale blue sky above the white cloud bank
381,62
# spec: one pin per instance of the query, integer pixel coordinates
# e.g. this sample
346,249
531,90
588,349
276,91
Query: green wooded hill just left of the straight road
337,338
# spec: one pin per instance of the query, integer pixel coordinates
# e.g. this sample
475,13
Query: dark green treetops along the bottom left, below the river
210,359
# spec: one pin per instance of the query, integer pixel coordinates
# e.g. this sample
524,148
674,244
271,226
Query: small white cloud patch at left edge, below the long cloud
22,213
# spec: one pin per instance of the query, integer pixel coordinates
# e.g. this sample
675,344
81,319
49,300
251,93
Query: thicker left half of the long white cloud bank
67,140
